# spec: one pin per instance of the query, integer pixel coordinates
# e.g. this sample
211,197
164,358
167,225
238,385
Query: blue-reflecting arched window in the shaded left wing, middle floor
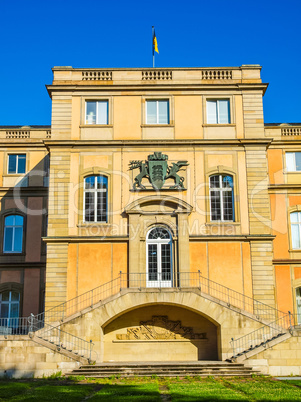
13,234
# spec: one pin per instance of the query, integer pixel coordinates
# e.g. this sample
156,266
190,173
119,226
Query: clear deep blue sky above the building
36,35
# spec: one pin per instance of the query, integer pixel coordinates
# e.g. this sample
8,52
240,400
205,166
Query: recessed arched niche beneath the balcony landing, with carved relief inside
160,333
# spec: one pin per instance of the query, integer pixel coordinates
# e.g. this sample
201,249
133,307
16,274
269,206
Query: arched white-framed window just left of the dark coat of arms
95,199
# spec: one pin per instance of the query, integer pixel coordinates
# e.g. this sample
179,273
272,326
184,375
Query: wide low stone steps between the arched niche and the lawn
164,369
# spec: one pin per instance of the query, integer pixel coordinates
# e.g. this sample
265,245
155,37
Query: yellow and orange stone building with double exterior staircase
173,222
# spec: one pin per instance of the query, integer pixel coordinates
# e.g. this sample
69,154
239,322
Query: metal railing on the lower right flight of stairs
261,336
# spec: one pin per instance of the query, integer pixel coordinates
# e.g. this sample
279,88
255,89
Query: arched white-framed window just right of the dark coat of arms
221,198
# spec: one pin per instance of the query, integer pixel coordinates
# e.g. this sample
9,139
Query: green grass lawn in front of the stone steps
151,389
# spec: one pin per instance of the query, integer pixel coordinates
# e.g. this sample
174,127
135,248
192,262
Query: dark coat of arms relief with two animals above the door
157,170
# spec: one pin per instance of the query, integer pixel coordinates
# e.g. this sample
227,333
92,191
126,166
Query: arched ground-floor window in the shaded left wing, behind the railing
9,308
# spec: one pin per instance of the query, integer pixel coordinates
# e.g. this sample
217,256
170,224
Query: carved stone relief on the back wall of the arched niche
160,328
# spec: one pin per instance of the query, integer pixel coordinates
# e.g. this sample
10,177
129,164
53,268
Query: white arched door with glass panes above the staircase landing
159,258
